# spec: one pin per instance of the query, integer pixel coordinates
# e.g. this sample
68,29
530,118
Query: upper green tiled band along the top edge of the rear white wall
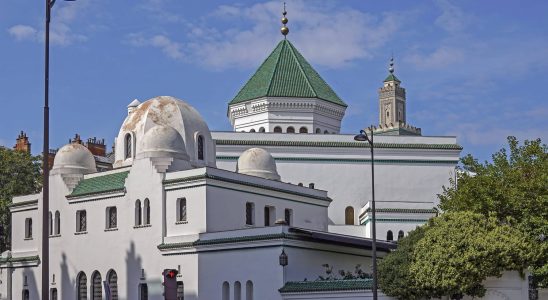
337,144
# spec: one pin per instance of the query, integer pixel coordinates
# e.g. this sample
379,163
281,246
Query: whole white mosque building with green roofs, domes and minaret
257,213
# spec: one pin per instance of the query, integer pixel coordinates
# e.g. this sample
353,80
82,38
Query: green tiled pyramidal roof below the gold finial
286,73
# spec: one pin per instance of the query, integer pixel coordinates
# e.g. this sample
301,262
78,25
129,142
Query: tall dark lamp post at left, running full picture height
45,162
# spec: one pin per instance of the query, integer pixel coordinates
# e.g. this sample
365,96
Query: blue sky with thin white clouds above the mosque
477,70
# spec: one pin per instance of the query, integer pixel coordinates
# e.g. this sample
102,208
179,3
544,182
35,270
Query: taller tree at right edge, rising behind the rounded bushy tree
513,188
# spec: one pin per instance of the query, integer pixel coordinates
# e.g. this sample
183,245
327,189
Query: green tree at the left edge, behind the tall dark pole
20,173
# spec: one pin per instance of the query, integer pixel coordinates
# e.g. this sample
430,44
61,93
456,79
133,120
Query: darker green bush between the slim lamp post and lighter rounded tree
395,279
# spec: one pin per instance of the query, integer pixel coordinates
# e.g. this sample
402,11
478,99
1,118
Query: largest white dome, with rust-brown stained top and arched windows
165,115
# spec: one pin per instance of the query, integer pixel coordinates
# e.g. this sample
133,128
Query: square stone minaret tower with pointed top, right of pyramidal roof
392,107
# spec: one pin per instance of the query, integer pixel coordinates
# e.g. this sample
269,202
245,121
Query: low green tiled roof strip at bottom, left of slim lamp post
326,285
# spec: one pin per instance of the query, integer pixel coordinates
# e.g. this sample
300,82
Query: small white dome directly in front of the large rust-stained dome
163,141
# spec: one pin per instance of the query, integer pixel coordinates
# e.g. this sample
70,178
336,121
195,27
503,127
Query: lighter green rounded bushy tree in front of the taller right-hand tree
460,250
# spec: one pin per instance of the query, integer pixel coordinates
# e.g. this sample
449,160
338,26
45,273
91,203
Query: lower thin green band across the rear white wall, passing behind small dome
353,160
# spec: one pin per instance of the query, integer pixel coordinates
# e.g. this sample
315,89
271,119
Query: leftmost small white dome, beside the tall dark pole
74,158
